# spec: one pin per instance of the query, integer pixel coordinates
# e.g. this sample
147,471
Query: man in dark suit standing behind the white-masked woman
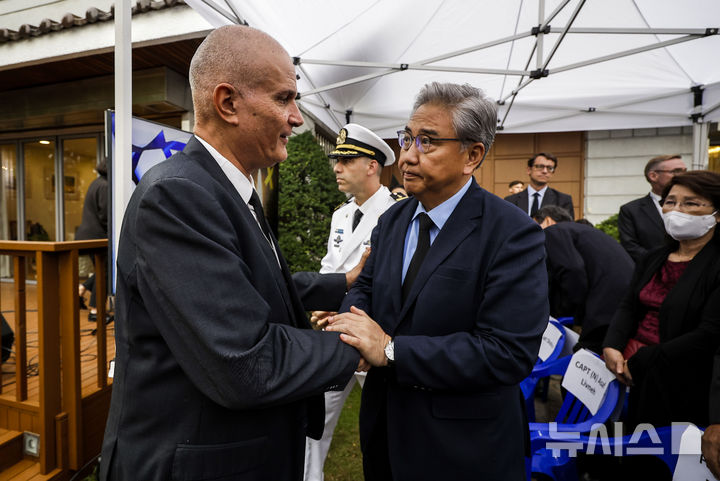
640,222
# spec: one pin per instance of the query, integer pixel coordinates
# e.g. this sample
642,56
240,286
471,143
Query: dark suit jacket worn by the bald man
216,370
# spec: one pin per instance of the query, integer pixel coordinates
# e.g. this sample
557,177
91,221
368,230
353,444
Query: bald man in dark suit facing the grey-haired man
218,374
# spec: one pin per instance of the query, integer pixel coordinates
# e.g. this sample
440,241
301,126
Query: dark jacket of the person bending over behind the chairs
588,273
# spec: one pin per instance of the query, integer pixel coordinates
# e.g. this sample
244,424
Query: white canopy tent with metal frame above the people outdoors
552,65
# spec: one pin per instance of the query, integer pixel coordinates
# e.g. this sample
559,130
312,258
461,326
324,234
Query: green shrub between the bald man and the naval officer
307,197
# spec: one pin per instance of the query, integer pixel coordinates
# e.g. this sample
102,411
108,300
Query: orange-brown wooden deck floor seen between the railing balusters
88,345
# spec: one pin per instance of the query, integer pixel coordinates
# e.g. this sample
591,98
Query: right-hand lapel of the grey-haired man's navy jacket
458,226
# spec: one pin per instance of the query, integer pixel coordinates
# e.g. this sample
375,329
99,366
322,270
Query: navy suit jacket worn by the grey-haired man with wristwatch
467,334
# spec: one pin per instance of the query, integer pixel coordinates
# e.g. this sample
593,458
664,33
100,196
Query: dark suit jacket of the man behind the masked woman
641,227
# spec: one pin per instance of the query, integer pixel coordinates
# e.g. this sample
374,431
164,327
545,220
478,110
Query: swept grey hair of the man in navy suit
474,114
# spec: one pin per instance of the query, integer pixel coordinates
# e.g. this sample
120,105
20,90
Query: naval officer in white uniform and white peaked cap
359,157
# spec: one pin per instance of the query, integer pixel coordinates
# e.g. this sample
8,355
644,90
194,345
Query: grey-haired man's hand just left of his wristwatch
361,332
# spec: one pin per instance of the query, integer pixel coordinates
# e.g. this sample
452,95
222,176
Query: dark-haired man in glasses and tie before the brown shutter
538,194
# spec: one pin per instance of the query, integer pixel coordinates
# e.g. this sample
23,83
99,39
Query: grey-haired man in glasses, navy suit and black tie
449,309
